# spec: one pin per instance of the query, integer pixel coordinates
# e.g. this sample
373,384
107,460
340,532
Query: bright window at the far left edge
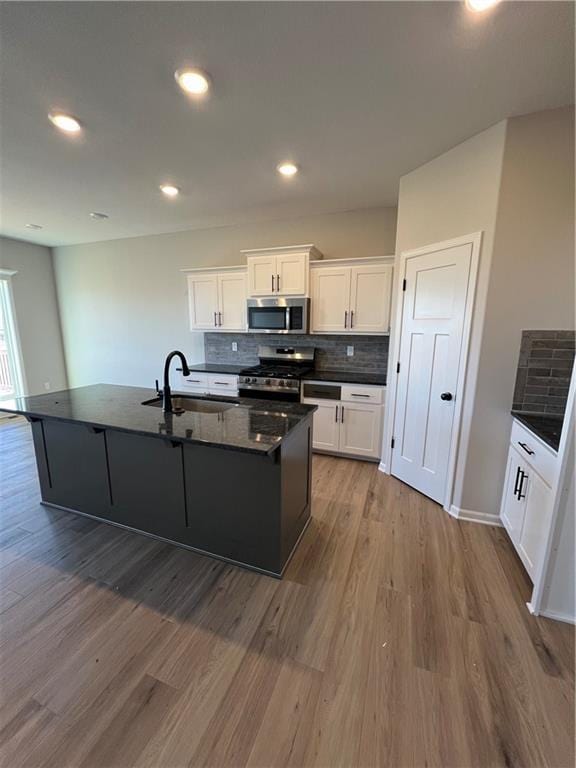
11,379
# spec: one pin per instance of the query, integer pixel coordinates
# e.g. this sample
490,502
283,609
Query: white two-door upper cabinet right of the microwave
351,296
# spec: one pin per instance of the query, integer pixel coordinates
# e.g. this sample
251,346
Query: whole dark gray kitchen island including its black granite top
235,485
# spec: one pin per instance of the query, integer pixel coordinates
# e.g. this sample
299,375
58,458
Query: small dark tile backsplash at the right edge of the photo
544,371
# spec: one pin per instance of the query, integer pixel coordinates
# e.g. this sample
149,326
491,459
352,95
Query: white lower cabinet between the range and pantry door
349,427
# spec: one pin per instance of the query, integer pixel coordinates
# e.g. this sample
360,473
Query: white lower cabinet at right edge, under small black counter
527,498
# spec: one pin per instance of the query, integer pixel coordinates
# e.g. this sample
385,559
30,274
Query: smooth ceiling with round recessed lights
356,93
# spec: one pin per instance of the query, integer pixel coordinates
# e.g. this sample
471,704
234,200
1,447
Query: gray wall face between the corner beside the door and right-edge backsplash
531,284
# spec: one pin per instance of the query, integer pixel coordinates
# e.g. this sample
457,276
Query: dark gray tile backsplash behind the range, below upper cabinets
370,352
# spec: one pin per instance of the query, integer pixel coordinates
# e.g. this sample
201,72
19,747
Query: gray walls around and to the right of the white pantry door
514,182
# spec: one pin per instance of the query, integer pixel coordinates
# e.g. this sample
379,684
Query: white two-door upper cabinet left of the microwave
217,299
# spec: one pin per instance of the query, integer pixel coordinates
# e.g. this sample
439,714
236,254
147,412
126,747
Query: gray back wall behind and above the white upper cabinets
123,302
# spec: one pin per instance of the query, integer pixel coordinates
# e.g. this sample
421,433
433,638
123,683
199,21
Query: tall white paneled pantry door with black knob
433,319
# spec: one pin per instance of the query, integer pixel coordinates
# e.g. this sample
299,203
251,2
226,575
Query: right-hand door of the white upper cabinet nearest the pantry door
371,289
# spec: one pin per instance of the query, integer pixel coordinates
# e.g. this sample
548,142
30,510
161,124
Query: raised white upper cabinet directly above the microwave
280,271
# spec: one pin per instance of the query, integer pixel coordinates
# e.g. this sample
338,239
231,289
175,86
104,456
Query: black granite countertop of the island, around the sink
255,426
